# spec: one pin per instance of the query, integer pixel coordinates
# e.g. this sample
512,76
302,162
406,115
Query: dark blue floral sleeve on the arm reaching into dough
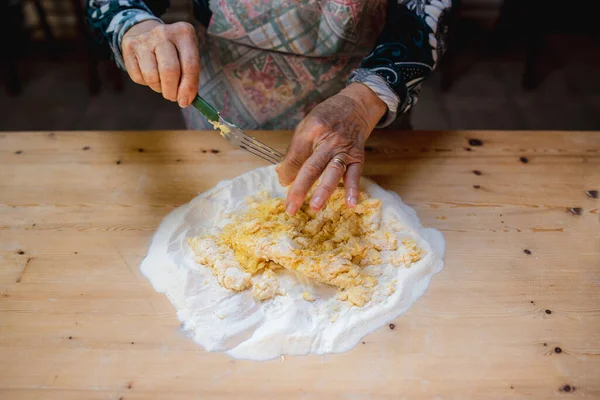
407,51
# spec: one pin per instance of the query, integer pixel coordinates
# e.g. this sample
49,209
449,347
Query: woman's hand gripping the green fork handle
164,57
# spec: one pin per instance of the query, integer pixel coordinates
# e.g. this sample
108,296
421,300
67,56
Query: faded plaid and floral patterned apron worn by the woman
266,64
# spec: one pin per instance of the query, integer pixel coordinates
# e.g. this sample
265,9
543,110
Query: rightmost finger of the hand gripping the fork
189,58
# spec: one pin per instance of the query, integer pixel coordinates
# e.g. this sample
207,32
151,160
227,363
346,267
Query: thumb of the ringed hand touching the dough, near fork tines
299,150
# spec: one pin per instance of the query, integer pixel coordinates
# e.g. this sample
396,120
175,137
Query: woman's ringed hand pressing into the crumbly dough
329,143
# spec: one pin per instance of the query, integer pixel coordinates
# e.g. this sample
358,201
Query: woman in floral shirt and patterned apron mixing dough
332,69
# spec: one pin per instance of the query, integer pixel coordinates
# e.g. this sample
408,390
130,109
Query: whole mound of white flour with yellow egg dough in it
249,280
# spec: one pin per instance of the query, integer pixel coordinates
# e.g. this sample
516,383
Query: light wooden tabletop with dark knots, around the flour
515,313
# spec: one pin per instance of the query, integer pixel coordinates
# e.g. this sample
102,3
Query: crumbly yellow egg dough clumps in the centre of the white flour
331,246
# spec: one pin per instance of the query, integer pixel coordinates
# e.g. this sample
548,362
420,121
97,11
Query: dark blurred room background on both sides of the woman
513,64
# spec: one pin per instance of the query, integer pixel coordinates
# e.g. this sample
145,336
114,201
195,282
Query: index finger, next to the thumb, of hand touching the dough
307,176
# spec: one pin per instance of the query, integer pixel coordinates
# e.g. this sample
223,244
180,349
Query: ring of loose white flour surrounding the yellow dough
308,318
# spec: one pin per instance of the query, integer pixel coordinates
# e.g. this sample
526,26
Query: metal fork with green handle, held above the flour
235,135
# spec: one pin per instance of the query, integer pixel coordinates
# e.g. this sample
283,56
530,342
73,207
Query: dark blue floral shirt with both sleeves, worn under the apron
406,53
